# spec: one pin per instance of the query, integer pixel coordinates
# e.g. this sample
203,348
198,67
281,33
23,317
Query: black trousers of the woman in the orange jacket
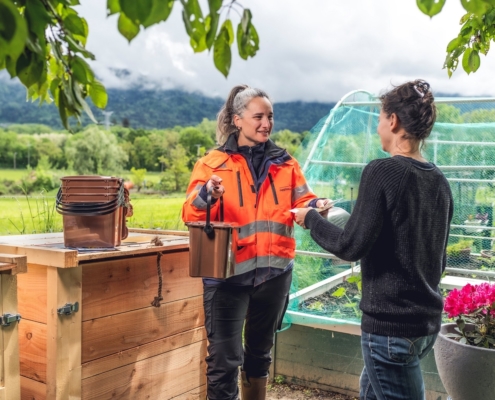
229,309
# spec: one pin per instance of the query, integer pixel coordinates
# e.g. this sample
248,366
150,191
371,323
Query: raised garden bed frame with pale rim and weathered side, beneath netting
325,353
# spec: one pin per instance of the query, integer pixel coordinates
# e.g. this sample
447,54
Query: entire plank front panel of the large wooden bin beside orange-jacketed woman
132,350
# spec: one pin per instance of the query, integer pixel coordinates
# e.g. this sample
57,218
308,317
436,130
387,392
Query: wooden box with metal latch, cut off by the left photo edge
10,266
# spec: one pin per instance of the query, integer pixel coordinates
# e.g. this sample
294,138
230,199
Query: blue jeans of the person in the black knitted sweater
391,367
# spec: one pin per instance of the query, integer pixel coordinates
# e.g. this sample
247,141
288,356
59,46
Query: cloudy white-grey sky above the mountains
311,50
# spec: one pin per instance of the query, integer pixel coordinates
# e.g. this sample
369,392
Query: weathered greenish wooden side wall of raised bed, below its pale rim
333,361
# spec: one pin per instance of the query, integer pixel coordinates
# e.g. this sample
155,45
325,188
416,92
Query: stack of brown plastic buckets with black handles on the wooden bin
94,210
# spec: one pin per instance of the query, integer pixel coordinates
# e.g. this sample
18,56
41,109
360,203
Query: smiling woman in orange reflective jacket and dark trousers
260,183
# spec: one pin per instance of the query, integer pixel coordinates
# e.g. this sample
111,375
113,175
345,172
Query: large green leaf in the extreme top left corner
13,30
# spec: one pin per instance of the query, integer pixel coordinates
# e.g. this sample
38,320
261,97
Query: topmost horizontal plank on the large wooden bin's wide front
116,286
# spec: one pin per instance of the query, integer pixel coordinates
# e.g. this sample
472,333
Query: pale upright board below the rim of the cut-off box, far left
9,343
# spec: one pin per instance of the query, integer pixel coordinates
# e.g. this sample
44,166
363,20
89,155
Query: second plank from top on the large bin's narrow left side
32,349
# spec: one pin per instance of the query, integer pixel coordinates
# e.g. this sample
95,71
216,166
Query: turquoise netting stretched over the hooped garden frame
333,155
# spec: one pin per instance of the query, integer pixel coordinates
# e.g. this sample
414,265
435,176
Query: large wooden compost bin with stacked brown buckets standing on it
116,345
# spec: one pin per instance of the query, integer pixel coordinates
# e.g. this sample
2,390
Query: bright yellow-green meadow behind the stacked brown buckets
36,214
